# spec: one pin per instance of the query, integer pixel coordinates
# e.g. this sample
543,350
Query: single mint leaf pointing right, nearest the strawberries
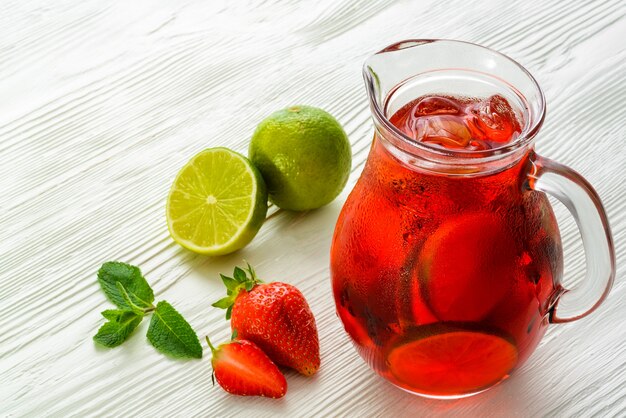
171,334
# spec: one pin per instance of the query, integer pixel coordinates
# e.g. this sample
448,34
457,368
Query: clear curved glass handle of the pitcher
585,206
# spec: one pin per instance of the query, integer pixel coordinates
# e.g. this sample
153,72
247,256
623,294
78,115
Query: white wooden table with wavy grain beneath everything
102,102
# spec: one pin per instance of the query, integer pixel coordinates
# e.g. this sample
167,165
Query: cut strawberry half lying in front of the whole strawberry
241,368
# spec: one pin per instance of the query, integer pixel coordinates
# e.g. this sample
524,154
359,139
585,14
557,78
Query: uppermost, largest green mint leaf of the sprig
130,277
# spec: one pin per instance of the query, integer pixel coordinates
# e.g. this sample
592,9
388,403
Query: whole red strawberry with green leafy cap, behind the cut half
275,316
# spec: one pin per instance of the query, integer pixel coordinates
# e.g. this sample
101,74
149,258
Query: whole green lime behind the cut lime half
304,156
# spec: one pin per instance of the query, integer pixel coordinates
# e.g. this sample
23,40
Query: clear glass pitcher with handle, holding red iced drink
446,264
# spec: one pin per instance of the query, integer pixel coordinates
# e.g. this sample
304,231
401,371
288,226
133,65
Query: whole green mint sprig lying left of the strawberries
125,286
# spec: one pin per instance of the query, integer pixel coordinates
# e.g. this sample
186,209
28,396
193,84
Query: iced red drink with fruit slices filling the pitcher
444,282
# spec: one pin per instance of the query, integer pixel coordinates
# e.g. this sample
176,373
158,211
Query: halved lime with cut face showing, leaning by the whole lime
217,203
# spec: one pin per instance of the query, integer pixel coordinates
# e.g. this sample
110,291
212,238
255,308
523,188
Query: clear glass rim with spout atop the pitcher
524,140
